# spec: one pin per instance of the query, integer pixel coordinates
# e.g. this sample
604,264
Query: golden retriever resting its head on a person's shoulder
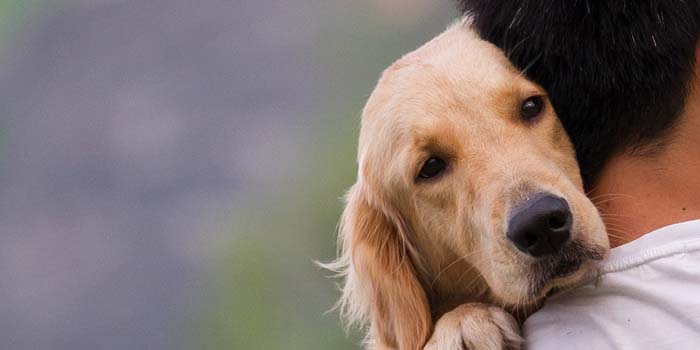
468,208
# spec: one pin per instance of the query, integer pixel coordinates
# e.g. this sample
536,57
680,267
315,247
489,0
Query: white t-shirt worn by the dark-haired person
646,296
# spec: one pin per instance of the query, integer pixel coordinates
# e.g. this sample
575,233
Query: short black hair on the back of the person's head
617,72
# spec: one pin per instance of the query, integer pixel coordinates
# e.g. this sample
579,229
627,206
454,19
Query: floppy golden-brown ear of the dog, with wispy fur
381,284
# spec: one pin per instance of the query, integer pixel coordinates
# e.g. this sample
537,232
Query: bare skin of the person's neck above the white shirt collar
638,194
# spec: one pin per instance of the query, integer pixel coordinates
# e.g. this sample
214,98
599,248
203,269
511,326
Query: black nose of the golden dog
541,225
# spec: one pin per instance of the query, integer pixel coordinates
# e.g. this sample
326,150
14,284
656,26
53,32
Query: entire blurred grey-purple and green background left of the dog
170,169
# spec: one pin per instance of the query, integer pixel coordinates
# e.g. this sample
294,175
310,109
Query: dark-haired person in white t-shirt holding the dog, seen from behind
625,80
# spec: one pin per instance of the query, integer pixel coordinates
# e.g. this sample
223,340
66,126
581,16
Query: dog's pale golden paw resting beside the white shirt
475,326
